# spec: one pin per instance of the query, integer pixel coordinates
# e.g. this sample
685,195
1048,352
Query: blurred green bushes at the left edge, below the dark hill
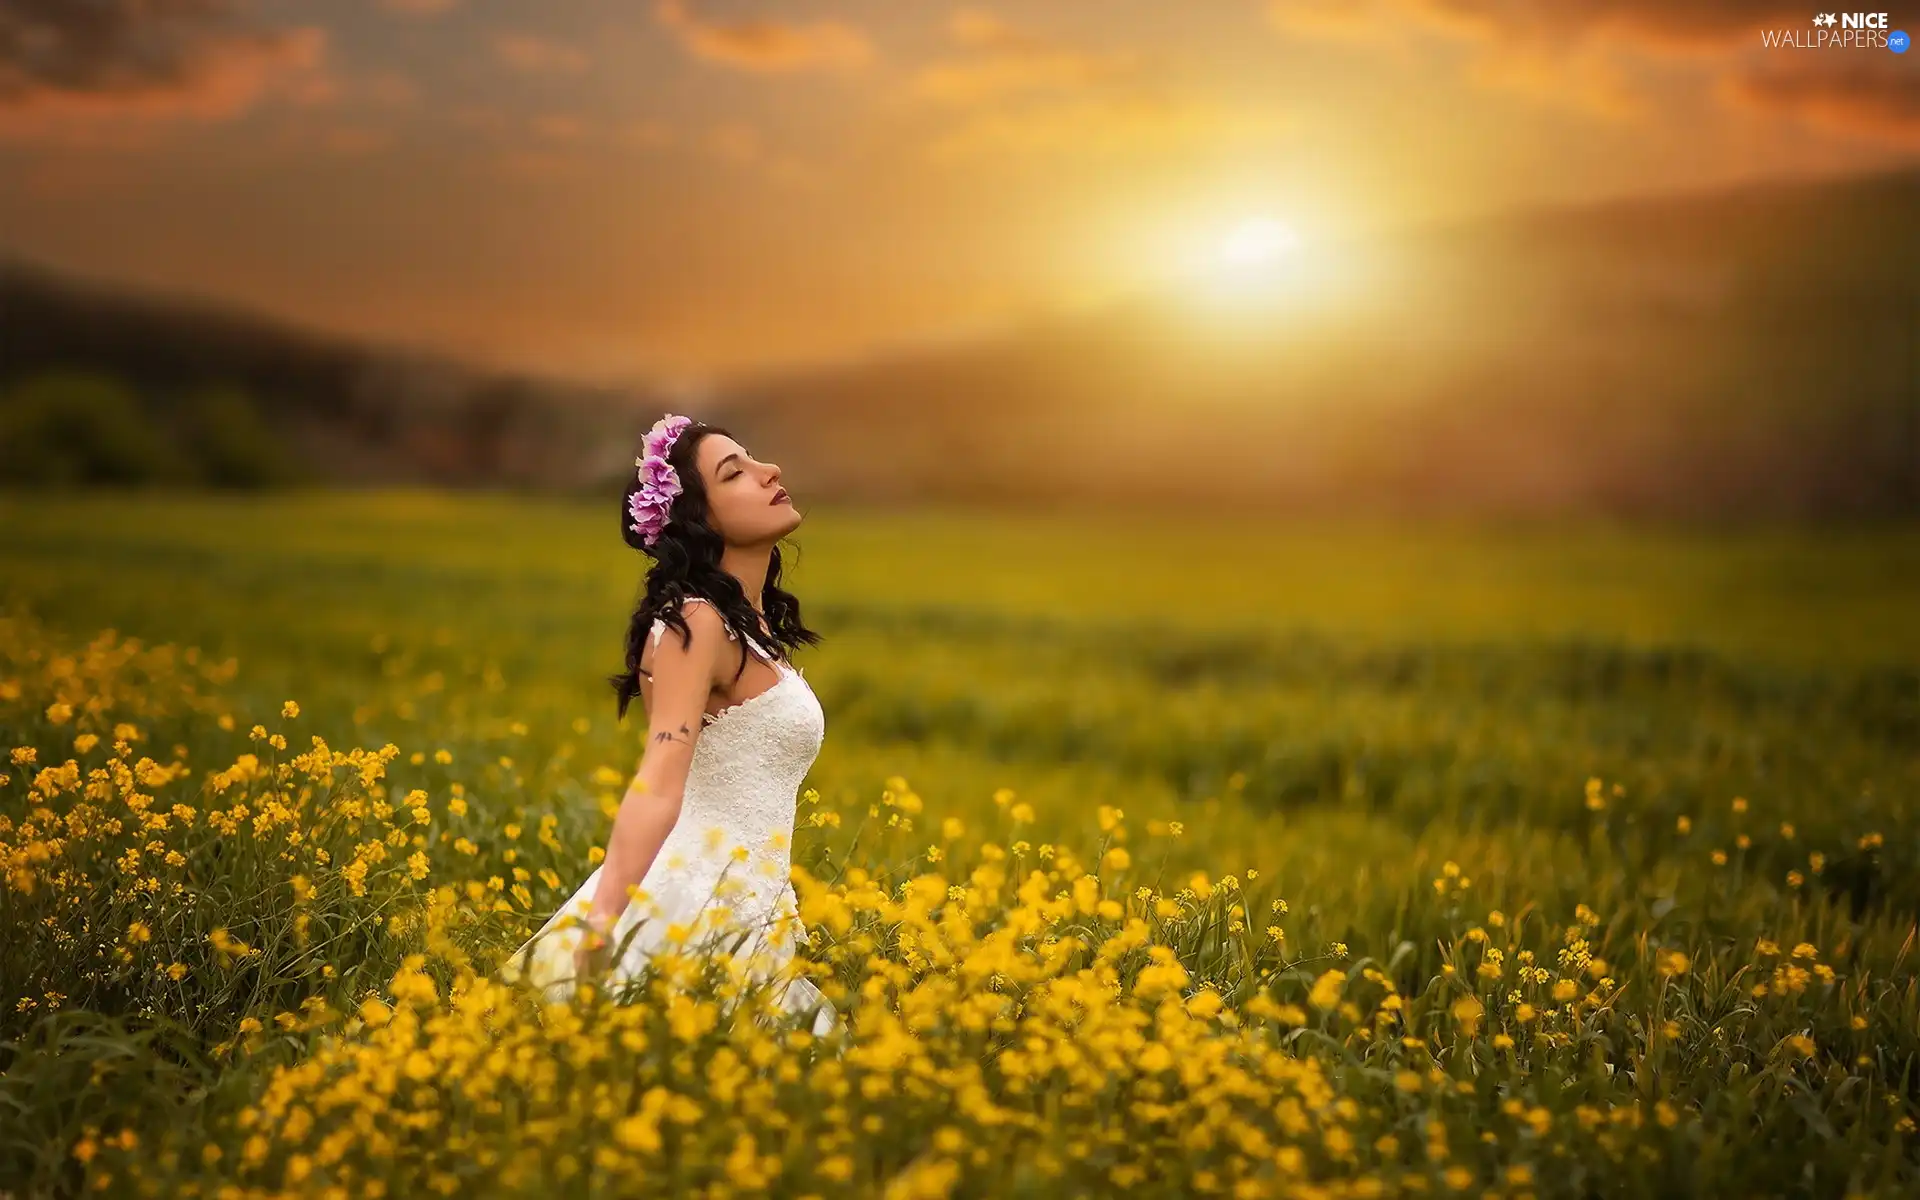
74,429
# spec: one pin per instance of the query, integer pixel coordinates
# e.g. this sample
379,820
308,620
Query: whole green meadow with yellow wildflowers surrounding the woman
1207,855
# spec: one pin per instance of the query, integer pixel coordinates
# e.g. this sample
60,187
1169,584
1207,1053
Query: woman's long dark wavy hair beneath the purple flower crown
686,562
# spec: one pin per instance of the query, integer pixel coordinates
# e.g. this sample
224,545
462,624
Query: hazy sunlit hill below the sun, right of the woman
1748,352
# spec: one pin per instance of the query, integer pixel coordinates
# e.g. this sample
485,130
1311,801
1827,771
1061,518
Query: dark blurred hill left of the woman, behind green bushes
345,412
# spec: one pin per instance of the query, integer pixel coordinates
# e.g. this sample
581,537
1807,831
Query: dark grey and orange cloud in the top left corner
66,70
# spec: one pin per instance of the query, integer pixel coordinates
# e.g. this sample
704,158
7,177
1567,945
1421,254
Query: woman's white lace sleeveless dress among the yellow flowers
742,792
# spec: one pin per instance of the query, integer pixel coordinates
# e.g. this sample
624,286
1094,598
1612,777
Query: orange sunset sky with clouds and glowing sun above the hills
688,189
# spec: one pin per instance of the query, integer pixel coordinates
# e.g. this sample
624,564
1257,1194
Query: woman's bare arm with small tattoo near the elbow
683,677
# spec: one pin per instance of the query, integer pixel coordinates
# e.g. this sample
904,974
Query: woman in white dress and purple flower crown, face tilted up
732,729
